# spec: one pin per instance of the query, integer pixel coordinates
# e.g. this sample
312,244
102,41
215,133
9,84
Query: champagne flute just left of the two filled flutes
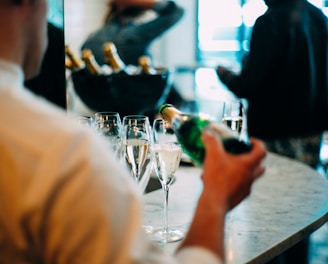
109,124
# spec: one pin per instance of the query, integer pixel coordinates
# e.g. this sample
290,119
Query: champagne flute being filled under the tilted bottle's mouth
167,156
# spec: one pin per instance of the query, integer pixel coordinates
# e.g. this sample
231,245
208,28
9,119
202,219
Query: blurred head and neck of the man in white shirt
24,23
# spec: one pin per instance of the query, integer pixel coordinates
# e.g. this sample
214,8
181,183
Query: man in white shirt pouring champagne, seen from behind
63,197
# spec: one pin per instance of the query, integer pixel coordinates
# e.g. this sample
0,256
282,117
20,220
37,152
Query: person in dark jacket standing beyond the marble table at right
284,78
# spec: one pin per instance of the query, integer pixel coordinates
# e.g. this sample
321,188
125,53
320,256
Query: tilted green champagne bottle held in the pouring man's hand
188,129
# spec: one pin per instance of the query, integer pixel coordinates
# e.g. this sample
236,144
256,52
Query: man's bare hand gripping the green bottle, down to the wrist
229,177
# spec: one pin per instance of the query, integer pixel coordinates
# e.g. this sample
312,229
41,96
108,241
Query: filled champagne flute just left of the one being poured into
137,140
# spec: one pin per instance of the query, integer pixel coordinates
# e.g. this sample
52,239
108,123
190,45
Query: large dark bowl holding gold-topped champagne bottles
126,94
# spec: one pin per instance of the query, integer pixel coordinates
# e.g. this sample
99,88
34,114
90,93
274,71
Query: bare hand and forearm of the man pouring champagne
227,180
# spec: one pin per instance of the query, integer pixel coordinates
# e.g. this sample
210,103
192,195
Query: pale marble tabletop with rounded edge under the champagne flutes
286,205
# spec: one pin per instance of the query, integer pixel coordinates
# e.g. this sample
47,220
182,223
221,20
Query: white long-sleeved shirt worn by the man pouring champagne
63,197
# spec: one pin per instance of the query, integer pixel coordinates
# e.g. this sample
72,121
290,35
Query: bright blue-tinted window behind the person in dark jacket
224,28
